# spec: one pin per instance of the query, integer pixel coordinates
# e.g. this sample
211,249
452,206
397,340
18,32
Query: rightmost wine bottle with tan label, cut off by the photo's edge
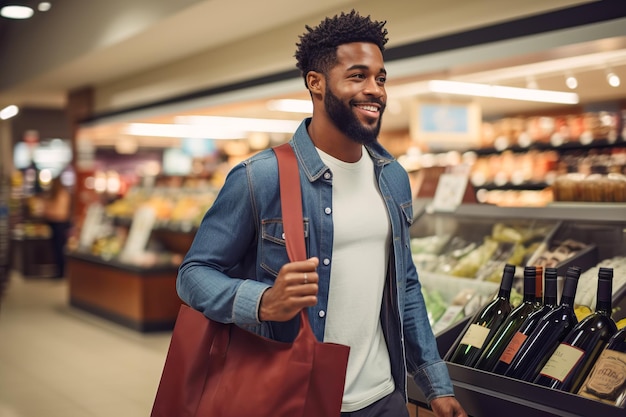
607,380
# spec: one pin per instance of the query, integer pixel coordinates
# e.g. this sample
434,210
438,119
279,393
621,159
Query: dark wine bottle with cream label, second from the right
570,363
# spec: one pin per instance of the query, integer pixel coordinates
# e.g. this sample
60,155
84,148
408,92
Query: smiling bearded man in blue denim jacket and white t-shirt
360,284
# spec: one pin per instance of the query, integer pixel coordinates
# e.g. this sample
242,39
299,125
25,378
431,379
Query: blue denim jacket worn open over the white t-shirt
238,250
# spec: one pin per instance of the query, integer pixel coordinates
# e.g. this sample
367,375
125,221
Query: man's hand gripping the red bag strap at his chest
295,288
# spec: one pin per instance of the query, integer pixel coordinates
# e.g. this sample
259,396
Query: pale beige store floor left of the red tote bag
57,361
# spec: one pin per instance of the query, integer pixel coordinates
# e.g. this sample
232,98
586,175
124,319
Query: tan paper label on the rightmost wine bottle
607,380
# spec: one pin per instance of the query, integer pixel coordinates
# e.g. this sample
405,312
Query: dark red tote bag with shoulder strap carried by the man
220,370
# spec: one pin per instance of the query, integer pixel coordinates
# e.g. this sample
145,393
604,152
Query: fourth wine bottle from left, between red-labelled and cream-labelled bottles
526,355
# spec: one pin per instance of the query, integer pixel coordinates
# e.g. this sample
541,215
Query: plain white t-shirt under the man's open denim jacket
357,278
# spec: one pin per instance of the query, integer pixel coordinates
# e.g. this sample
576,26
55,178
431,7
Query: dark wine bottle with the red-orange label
529,325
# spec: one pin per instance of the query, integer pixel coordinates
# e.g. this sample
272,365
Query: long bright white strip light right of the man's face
496,91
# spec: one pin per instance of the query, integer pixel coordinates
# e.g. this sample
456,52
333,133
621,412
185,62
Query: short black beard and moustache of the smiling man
348,123
